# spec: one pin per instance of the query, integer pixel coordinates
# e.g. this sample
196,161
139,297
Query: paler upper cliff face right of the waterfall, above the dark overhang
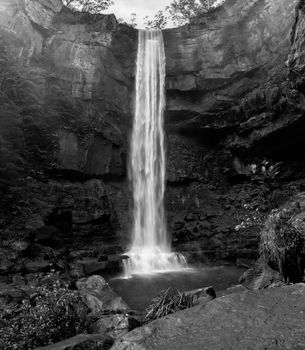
225,55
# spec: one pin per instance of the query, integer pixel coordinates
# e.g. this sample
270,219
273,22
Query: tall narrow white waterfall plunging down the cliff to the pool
150,251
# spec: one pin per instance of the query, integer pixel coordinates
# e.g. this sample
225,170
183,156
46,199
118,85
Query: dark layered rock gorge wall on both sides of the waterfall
229,103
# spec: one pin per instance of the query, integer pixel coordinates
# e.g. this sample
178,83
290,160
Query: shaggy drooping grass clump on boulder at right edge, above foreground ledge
283,244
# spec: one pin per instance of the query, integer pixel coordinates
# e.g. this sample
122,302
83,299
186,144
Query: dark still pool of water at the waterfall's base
138,291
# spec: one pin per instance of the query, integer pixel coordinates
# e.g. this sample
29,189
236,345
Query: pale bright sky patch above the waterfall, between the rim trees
124,8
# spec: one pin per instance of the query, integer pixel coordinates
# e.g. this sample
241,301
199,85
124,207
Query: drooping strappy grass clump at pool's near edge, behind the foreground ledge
167,302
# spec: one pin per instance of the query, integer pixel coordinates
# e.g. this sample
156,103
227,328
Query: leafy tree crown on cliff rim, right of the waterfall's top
183,11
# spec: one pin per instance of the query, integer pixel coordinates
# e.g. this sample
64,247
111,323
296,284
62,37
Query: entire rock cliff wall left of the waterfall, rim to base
80,70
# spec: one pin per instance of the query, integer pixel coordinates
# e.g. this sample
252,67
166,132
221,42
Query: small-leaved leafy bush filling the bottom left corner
50,315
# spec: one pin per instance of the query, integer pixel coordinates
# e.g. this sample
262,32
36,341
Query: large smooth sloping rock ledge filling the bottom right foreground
269,319
